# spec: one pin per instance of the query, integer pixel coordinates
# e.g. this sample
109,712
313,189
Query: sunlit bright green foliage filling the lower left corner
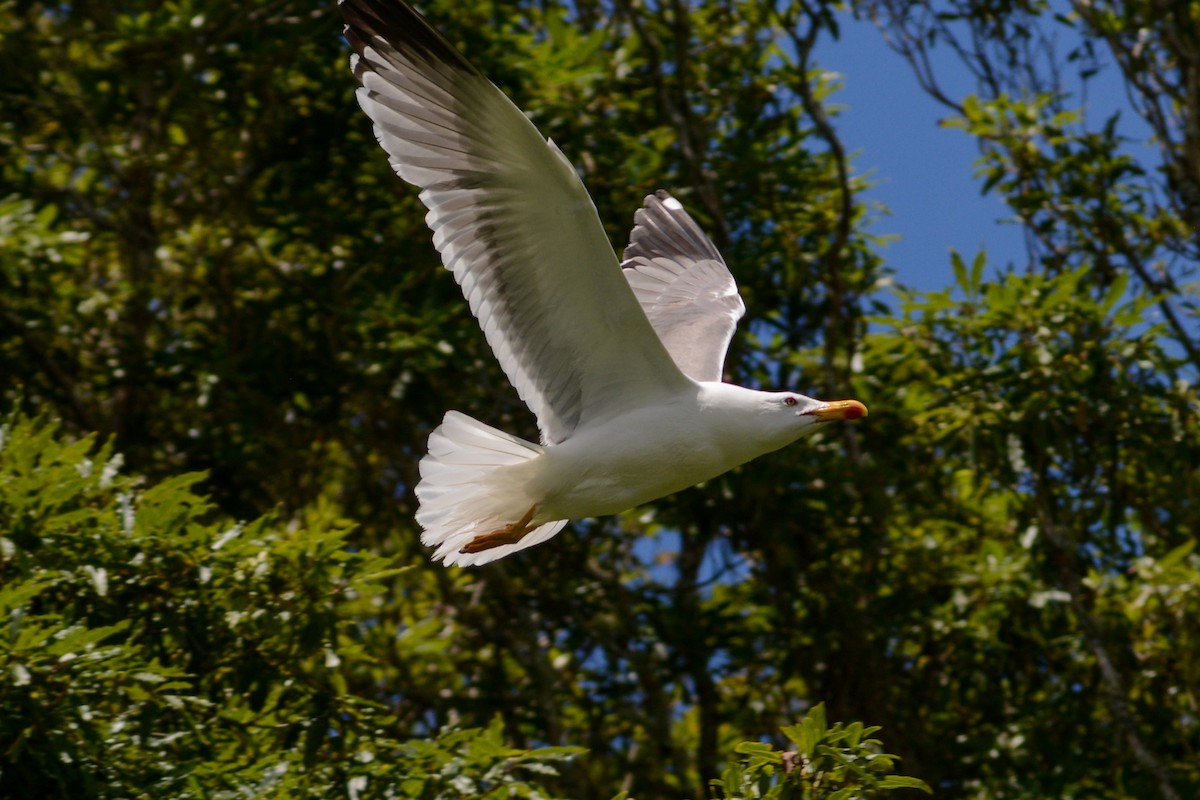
151,651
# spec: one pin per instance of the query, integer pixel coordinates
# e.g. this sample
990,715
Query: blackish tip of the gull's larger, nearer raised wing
401,27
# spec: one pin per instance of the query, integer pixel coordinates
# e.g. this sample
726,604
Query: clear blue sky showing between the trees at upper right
925,173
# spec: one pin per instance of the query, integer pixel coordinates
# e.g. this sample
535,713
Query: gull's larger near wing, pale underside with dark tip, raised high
513,222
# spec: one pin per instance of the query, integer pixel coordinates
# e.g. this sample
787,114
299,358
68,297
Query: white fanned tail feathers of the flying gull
470,489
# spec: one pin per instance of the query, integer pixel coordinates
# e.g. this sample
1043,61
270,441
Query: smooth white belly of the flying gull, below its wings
621,466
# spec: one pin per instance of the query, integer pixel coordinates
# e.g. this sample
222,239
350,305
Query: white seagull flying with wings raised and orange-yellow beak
620,362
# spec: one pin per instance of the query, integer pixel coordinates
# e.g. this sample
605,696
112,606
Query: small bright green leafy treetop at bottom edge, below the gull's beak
837,763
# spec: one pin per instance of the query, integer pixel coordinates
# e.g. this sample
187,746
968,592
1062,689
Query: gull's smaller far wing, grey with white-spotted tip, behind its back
683,285
